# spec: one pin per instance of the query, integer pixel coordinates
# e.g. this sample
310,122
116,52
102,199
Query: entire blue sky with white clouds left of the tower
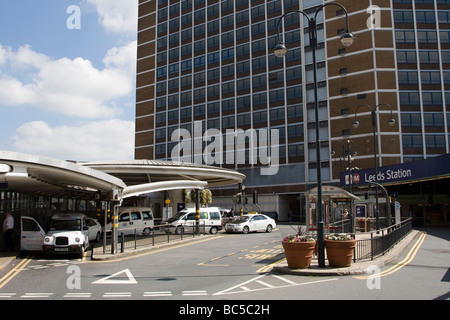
68,93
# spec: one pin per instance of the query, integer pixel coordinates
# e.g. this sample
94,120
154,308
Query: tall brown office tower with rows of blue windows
210,90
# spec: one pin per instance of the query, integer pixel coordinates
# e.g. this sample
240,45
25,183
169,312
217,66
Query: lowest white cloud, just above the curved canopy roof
109,139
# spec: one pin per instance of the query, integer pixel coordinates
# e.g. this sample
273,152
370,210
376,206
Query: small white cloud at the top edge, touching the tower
117,16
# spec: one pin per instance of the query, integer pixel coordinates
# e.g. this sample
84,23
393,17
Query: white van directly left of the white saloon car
185,221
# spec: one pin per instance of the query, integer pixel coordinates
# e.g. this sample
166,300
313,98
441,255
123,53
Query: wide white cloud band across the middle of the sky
70,87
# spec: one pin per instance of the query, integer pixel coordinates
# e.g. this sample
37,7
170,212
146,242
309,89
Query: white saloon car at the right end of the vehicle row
251,223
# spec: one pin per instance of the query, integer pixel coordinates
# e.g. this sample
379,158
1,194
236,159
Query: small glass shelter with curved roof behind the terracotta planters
337,202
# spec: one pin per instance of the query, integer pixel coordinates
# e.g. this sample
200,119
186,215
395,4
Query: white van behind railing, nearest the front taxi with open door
134,220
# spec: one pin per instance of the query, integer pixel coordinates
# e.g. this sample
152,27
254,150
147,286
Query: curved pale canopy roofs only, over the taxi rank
27,173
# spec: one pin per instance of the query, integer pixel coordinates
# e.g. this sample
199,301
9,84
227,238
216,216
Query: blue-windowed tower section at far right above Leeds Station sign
422,41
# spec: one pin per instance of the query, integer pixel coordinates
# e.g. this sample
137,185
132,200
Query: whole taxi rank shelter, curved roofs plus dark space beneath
38,186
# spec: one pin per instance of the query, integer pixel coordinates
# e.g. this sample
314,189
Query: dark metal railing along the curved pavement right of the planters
378,242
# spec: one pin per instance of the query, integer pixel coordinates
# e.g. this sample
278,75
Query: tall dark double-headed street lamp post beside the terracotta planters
280,51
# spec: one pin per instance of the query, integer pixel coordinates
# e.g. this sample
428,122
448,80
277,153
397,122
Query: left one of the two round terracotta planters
299,254
